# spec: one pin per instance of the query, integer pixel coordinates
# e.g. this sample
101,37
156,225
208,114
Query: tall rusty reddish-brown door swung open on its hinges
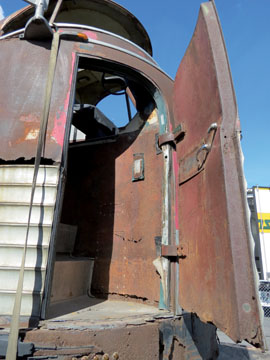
217,272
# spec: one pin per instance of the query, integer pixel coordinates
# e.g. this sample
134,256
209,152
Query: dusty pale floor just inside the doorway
85,312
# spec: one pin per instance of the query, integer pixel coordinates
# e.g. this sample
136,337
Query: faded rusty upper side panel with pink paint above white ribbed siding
22,96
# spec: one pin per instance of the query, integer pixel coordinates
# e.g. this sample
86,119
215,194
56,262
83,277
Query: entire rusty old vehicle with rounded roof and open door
150,205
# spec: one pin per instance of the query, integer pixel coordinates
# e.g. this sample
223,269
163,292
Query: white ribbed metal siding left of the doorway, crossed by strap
15,190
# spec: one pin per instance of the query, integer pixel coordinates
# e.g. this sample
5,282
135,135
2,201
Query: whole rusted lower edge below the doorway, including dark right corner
164,338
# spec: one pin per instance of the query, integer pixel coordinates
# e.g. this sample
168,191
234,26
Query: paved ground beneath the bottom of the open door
244,351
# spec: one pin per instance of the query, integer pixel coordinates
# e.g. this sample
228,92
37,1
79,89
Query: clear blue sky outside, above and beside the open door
245,24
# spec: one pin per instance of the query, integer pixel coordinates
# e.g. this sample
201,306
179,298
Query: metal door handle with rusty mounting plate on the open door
194,162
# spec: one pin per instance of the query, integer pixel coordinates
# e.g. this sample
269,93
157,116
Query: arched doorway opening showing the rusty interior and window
112,202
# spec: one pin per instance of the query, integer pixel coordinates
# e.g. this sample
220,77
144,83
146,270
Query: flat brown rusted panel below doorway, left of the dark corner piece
122,341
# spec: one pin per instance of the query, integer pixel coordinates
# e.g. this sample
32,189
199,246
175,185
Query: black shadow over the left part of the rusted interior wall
89,204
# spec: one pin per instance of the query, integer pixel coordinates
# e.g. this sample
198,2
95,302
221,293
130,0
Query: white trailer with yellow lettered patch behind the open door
259,204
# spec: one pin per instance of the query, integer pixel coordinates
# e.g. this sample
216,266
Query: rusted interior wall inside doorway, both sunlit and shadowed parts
118,218
